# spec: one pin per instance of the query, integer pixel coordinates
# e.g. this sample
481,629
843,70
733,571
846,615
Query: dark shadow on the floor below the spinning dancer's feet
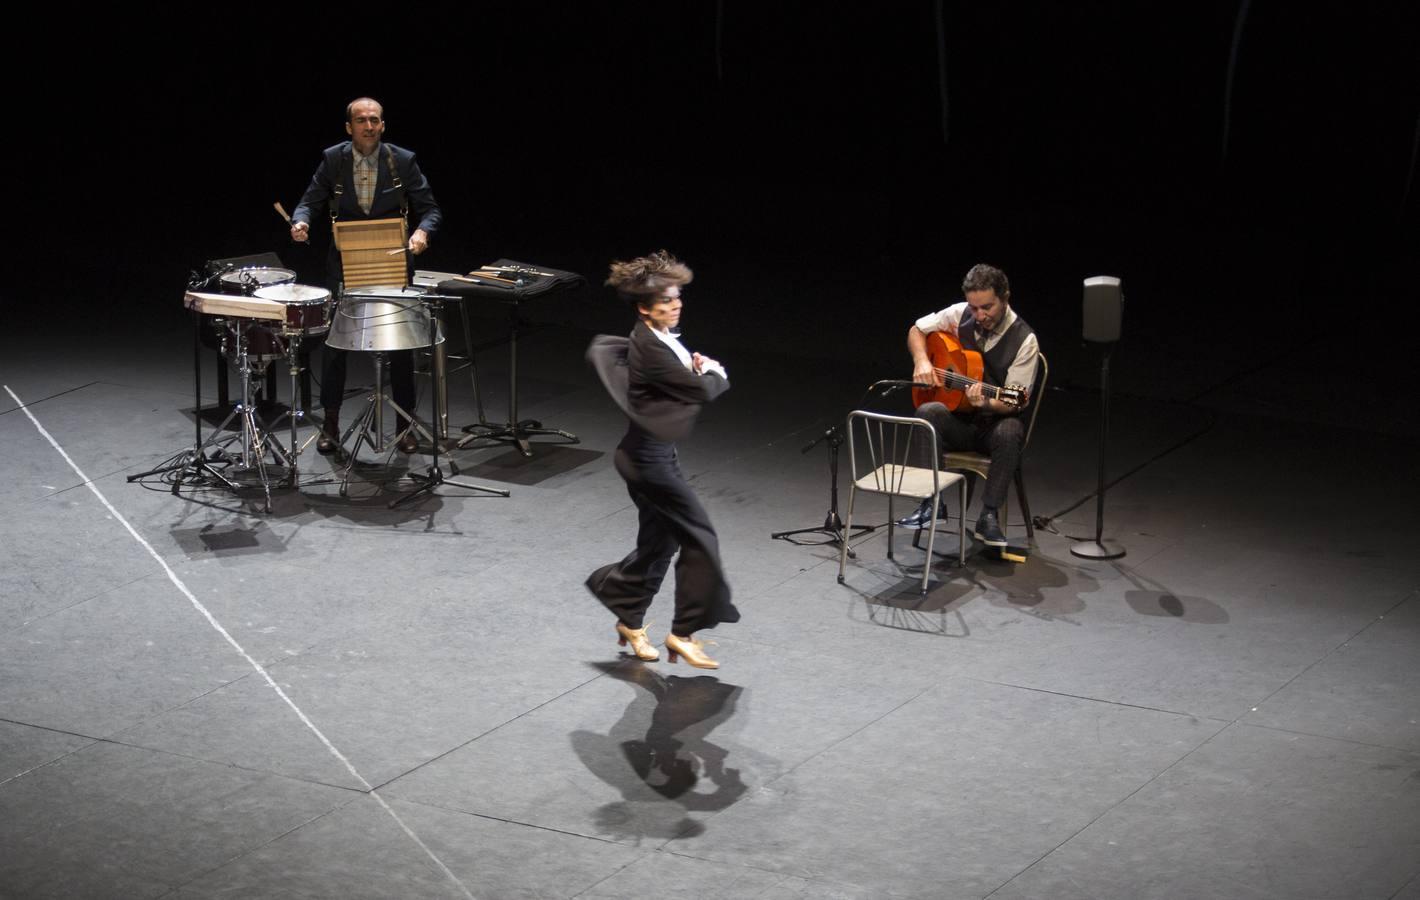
660,757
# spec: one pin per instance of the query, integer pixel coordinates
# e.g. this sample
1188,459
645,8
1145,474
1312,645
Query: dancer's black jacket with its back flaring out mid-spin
648,381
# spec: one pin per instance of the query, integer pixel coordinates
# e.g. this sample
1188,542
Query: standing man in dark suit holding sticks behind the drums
366,178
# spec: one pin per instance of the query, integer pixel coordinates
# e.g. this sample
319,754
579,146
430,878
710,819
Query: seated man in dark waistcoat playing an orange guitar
989,326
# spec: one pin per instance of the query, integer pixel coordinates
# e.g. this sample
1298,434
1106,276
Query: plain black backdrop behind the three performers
814,163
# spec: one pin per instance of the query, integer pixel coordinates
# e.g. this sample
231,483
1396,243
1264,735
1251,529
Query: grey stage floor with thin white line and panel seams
340,701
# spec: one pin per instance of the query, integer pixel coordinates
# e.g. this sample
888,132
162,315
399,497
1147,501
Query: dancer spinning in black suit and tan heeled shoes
661,387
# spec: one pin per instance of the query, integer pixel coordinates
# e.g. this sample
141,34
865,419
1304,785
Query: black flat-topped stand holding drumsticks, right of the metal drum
518,283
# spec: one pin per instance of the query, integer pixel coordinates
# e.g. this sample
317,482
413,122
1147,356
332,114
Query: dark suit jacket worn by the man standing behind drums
337,161
